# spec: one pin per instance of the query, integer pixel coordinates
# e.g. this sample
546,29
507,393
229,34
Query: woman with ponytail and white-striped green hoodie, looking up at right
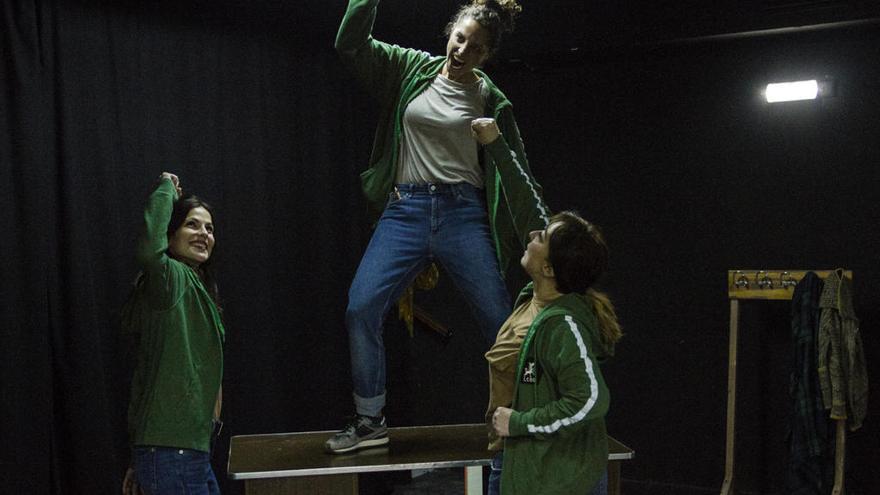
548,398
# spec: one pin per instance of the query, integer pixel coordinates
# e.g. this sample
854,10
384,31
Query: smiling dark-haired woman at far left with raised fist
176,389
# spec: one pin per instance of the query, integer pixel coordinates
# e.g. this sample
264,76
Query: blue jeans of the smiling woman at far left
170,471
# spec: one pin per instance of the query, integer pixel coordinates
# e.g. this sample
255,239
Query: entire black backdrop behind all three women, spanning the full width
668,147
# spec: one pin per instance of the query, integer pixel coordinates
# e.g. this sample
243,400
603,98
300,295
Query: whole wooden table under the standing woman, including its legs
295,463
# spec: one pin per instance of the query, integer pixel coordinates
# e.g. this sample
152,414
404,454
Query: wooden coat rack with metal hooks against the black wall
767,285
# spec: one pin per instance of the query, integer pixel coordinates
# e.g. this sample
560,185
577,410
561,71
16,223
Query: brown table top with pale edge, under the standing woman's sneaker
281,455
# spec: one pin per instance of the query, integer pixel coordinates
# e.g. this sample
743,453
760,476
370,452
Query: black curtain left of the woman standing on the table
98,99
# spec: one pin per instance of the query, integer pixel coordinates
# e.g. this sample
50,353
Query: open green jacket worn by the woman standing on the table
395,76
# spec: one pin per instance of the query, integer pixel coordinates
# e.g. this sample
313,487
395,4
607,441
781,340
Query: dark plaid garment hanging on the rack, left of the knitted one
810,468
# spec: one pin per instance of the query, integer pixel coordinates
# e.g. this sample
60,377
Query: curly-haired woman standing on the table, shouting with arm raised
448,179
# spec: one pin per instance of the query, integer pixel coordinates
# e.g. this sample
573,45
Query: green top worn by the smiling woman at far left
180,353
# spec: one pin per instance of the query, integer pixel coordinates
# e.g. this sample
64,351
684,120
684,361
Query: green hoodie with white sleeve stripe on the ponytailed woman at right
557,442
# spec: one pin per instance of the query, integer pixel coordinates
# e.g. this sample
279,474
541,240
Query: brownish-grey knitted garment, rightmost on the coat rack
842,372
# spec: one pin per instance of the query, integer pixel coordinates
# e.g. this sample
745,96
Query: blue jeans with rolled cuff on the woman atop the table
446,223
